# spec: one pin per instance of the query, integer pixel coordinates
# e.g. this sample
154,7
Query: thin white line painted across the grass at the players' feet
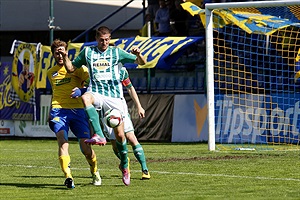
164,172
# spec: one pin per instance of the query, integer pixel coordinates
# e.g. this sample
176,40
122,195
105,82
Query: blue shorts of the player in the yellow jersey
75,119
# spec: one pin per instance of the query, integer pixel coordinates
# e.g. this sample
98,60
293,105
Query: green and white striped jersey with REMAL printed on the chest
105,73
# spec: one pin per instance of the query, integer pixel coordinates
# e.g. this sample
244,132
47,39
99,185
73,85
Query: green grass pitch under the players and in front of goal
29,169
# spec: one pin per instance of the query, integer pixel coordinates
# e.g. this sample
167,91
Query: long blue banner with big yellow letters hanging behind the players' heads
160,52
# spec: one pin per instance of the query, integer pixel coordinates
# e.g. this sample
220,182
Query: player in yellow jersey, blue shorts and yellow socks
67,112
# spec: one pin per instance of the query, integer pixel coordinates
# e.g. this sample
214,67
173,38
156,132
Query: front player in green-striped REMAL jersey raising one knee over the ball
105,87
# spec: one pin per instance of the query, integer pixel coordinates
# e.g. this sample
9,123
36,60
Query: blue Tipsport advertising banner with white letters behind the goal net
257,119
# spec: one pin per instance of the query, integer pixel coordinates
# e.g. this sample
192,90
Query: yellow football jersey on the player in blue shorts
62,84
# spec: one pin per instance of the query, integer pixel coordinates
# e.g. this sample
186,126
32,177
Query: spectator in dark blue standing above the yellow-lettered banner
162,17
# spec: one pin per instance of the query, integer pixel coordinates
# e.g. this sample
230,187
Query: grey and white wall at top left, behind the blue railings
25,15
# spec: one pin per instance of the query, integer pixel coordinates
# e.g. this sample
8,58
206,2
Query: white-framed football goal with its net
252,59
